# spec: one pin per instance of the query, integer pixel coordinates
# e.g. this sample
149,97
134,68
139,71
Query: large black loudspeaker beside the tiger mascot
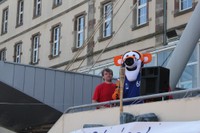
154,80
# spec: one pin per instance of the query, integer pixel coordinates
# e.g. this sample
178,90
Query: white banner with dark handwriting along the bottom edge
147,127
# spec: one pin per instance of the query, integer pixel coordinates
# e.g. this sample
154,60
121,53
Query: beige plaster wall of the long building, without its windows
124,37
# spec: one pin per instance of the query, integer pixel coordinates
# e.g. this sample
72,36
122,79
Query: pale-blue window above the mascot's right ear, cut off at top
141,12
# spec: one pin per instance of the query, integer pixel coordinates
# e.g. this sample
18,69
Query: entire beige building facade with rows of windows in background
84,35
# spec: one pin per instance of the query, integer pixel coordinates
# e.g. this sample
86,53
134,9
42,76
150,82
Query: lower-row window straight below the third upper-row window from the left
35,48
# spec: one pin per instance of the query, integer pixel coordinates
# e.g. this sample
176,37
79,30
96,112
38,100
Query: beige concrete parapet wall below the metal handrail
172,110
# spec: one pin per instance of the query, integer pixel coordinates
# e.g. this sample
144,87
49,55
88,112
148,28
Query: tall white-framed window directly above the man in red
107,20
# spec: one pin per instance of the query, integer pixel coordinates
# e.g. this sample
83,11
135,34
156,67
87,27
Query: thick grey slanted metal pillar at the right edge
184,48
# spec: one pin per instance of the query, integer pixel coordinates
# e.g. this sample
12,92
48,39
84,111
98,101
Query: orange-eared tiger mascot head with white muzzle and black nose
133,62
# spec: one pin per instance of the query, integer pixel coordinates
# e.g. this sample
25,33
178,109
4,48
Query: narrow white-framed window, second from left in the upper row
20,12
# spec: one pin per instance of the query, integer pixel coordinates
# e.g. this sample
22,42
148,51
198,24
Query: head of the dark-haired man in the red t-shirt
107,74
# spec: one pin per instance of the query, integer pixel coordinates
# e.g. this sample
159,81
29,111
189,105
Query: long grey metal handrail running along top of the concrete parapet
132,99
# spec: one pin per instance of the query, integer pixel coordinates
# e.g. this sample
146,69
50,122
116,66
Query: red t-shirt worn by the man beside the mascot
103,92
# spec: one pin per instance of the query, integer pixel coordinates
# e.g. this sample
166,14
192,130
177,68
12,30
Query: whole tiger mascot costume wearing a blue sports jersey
132,61
